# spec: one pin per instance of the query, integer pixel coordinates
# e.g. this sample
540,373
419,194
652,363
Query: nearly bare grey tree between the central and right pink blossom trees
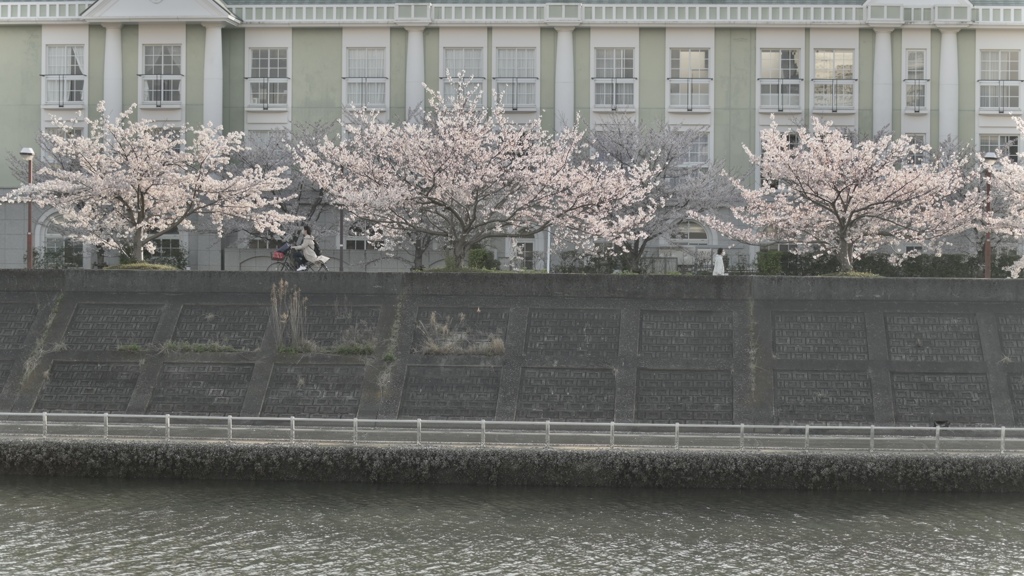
678,186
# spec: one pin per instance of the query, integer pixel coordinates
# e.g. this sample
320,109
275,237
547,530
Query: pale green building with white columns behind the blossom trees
927,68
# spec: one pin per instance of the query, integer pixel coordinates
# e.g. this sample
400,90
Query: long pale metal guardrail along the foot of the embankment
524,434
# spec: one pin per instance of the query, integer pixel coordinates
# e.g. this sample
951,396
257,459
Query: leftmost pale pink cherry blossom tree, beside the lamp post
134,182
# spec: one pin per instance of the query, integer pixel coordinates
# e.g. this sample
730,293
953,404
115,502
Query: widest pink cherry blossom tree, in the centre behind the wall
466,175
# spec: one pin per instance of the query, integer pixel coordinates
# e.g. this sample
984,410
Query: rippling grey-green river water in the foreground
73,526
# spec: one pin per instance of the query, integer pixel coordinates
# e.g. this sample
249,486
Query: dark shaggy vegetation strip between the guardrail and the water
517,467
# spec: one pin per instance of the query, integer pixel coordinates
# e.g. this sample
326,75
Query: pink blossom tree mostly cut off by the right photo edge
1006,219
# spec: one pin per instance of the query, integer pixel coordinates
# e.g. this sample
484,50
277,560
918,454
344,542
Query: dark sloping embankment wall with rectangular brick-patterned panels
629,349
